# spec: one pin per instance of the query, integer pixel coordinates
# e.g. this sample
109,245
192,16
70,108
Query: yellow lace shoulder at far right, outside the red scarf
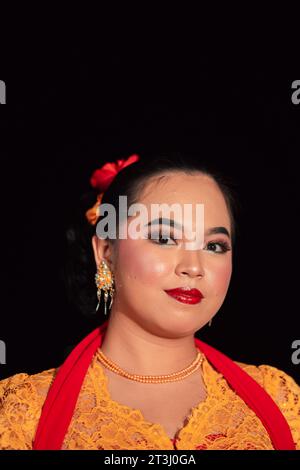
284,390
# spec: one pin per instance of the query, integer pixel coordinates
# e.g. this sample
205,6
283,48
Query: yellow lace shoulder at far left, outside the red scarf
21,399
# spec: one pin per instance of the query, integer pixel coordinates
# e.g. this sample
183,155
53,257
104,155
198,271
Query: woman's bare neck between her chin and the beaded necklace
138,351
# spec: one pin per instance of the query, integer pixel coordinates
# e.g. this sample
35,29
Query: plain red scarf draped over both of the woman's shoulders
62,397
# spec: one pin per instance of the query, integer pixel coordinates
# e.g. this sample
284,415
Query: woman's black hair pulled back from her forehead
80,267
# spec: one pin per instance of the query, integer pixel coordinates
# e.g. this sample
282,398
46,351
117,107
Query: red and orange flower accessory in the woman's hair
101,180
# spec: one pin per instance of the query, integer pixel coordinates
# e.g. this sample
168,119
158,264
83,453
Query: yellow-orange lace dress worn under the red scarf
223,421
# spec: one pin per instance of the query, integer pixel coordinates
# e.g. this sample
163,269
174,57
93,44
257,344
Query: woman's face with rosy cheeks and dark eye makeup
144,268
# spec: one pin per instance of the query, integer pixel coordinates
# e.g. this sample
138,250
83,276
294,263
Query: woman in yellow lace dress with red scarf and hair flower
142,380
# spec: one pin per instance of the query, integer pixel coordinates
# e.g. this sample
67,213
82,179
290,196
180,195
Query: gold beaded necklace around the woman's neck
157,379
